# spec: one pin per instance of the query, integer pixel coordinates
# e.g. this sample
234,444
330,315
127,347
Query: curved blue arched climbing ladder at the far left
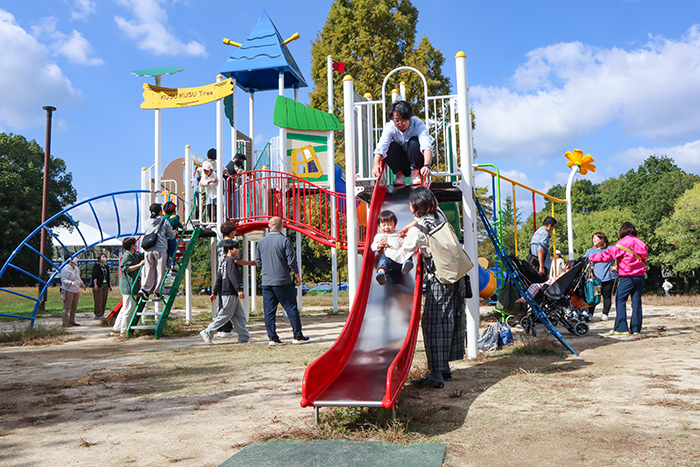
68,214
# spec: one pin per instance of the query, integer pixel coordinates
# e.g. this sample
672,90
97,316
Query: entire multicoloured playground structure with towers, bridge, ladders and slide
369,362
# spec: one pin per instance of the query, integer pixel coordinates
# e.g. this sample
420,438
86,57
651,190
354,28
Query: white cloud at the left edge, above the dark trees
29,79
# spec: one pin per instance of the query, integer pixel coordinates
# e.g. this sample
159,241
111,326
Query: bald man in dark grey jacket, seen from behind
276,259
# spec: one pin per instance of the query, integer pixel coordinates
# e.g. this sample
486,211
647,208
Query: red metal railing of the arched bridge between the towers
255,197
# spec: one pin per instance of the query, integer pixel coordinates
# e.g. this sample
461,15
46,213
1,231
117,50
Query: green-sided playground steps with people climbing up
161,318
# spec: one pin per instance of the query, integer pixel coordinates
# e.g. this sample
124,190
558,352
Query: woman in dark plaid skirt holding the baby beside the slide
444,321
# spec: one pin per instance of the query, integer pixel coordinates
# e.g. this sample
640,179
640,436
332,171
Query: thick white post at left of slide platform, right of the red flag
350,209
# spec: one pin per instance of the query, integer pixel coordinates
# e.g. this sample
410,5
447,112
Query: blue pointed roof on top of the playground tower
256,64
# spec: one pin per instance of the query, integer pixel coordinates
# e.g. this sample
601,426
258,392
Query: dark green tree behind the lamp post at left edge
21,188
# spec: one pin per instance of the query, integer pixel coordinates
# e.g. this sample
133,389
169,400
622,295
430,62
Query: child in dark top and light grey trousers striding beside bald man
228,287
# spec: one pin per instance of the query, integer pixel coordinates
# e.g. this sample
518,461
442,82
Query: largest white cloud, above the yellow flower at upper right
569,90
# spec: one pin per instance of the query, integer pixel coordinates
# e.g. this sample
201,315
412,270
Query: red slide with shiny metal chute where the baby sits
369,362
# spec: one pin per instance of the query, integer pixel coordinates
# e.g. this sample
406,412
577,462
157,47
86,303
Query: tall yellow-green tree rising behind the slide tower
373,37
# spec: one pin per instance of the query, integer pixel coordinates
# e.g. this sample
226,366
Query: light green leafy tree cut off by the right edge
680,233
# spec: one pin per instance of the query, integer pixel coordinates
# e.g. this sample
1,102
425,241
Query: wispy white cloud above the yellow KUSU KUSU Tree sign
151,32
